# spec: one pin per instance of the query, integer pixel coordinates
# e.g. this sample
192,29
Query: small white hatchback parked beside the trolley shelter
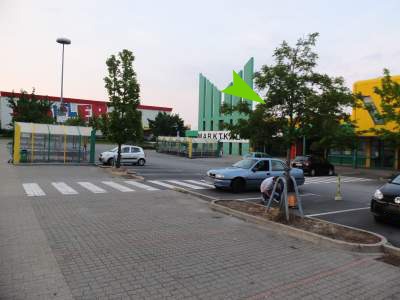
129,155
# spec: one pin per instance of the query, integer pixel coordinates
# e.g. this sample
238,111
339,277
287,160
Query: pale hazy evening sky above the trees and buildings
174,41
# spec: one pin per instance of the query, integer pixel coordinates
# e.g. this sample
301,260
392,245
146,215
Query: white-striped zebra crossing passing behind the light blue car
34,189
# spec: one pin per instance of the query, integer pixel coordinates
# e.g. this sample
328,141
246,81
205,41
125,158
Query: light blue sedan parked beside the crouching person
249,173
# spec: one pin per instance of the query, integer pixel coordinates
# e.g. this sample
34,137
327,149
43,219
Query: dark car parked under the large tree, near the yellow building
313,165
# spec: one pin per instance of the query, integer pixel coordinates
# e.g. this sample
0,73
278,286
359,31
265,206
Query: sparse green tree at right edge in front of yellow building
389,92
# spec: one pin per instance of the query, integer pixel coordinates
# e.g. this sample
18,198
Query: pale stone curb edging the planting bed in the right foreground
309,236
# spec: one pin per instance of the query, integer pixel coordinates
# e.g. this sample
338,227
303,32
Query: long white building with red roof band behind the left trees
83,107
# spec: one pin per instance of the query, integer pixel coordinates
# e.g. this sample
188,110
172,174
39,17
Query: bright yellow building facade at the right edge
372,152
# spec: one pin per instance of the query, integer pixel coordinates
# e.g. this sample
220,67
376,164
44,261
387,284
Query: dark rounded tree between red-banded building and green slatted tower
167,125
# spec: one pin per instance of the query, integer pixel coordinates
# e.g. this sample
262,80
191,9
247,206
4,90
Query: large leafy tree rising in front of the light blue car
297,96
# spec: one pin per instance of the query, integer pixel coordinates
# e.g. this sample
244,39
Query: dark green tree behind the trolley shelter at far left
28,108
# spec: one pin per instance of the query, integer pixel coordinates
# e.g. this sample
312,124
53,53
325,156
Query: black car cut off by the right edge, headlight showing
386,199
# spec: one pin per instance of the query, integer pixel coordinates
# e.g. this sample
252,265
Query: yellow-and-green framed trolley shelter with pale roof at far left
44,143
